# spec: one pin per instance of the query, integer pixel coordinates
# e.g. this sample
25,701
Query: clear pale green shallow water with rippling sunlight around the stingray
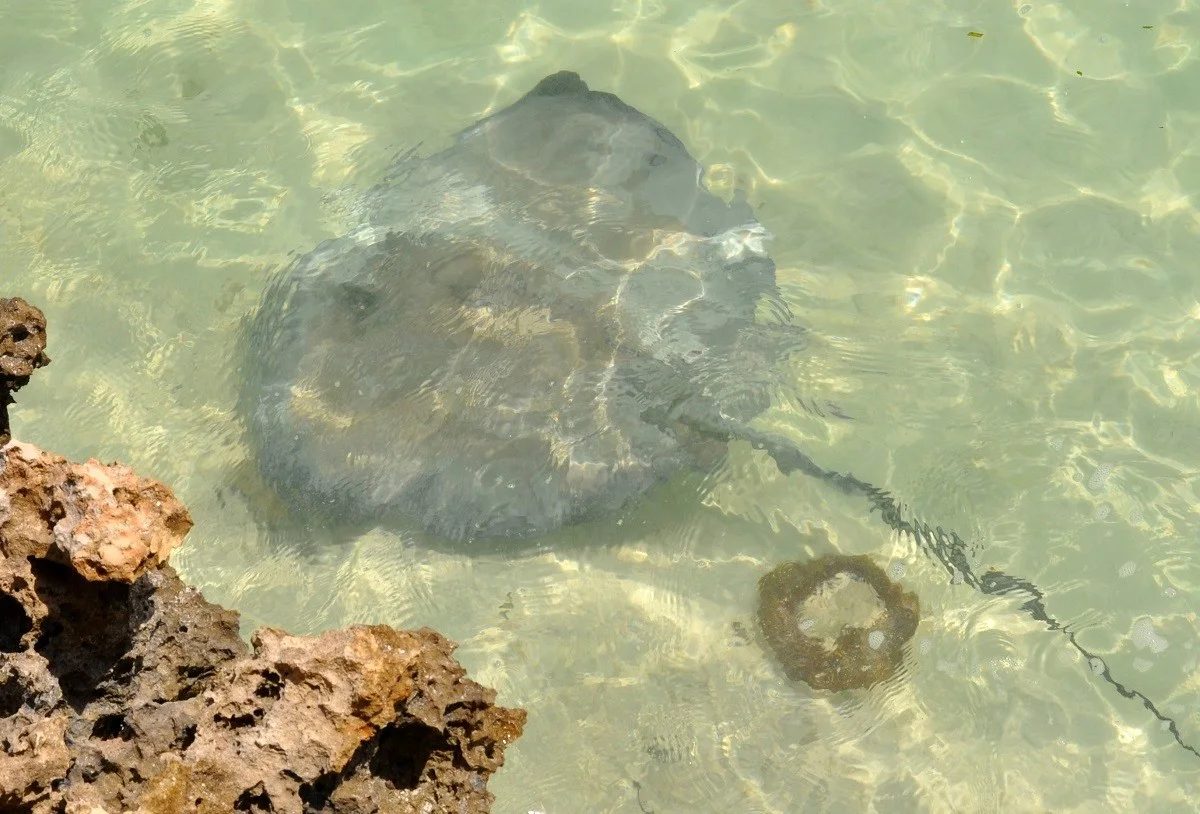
995,240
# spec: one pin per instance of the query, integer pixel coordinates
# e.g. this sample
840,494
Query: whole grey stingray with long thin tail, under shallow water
533,328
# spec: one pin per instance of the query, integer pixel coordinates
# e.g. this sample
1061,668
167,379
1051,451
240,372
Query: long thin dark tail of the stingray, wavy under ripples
944,546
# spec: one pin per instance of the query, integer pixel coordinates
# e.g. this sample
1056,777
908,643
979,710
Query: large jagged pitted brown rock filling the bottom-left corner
122,690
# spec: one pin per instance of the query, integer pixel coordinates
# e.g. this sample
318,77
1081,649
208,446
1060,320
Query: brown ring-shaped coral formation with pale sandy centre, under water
860,656
